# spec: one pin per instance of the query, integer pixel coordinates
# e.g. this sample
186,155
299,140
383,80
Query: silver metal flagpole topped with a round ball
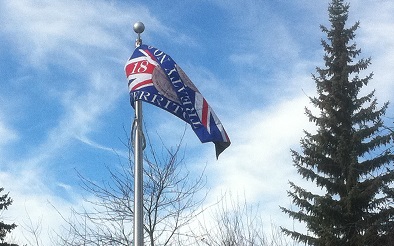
138,159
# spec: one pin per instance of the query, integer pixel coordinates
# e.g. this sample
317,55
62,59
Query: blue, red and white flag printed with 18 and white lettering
154,77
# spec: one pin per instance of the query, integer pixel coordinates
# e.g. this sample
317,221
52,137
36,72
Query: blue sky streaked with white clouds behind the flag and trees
64,103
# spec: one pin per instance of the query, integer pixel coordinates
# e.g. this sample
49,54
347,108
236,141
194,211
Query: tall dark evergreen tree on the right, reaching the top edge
349,156
